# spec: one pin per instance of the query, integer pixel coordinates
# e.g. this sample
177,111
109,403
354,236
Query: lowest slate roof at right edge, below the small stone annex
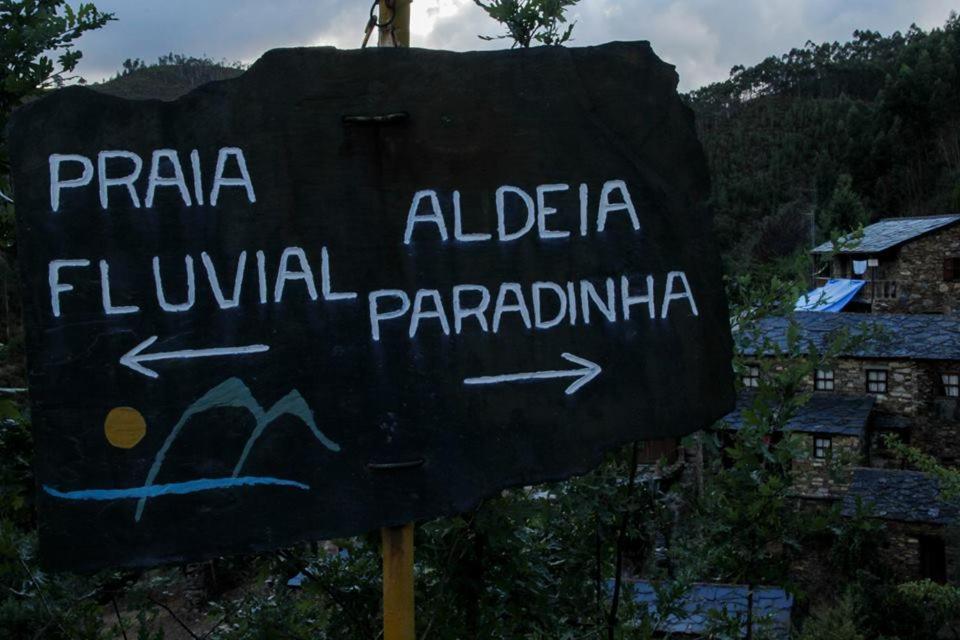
905,496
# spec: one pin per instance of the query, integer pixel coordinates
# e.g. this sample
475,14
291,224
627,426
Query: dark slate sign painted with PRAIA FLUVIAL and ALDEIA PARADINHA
319,299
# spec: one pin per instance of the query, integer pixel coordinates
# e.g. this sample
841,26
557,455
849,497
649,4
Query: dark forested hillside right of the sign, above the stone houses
839,133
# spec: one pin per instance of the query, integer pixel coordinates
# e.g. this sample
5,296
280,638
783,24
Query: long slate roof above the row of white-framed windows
896,336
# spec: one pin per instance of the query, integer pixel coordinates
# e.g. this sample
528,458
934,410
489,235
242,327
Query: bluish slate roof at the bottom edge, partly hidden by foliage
771,608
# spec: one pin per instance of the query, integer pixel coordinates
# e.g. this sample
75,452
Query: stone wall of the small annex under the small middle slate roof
829,477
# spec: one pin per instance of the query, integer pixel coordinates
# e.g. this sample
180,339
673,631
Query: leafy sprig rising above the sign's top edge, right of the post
529,21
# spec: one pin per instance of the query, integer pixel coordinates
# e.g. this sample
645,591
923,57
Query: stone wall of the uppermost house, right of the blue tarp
918,270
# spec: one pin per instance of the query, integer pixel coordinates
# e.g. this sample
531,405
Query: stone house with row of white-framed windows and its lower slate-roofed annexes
898,374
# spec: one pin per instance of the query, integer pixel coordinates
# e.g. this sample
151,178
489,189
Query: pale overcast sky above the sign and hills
703,38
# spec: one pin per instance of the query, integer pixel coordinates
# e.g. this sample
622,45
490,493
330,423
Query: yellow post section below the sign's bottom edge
398,617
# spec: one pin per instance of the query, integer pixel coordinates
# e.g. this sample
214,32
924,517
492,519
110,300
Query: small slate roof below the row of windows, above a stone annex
828,413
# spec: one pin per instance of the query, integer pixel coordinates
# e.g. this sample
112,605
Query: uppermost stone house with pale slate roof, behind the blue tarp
906,265
